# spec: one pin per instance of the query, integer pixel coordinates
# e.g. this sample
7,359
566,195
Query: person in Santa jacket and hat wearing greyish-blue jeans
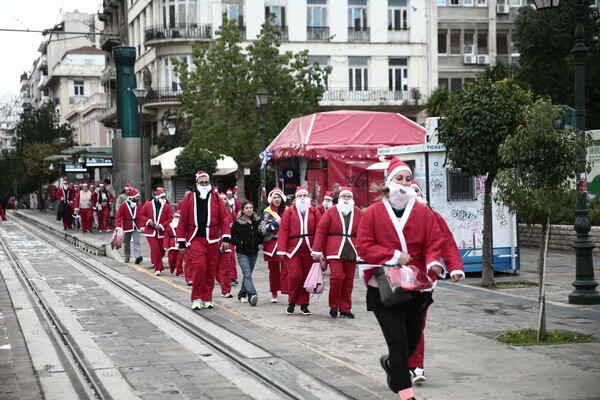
127,219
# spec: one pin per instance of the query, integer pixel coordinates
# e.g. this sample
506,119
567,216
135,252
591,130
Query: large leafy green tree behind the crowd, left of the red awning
219,94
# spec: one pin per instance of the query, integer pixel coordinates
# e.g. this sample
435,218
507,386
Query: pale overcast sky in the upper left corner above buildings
19,49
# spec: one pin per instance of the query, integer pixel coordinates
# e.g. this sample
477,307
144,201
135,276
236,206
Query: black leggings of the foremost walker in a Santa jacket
401,327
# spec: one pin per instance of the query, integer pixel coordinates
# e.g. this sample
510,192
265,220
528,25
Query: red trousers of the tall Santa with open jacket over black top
202,257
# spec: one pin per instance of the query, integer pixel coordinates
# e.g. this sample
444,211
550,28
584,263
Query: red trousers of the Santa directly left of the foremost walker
341,284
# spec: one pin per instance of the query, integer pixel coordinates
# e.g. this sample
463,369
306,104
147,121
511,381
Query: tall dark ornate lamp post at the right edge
585,285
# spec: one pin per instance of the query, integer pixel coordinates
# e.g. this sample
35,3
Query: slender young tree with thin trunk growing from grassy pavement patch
539,183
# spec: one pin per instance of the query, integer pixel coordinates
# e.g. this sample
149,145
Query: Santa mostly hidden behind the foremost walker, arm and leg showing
454,265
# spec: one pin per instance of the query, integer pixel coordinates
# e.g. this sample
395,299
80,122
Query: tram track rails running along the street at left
261,372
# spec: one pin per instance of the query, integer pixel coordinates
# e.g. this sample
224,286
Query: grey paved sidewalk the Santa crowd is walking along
461,361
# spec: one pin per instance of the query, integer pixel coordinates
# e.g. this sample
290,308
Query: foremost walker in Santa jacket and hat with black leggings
398,230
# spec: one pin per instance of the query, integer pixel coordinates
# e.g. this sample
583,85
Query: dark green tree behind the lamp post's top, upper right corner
546,63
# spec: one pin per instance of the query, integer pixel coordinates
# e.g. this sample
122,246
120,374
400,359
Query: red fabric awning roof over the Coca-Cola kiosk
345,134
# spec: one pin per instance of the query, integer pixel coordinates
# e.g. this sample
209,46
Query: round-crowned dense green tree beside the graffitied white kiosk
478,120
